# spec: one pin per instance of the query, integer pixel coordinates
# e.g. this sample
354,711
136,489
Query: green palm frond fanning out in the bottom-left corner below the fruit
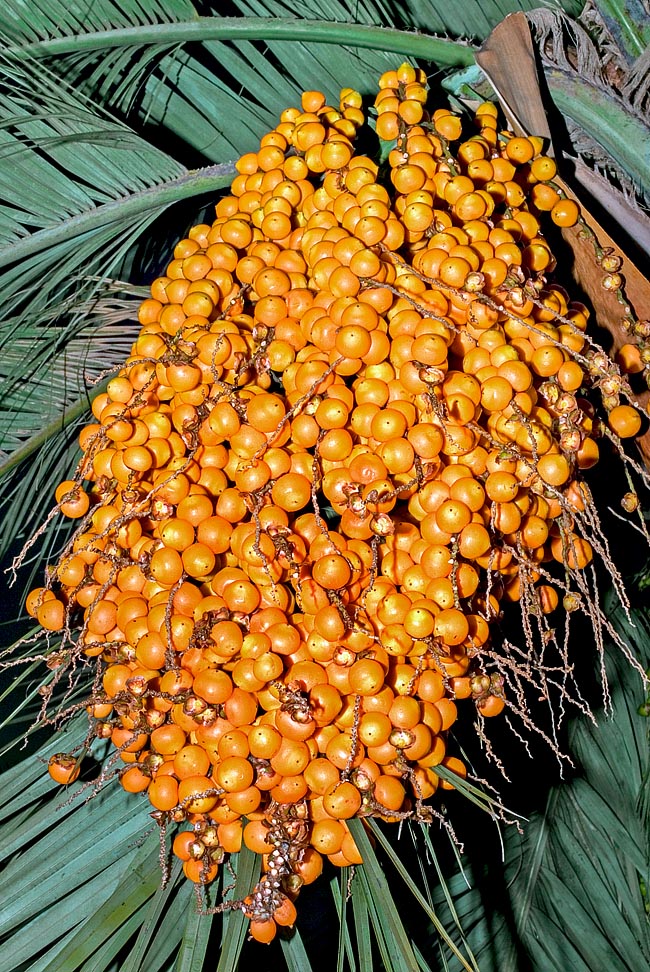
69,852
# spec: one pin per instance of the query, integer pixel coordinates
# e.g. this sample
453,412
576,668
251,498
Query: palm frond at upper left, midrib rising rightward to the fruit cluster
79,188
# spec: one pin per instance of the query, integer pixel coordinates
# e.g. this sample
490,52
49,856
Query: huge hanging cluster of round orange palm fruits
353,426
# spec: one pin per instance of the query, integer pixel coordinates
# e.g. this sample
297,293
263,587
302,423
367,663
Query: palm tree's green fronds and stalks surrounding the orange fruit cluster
121,121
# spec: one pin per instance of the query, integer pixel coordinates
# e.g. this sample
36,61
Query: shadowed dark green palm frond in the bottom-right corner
570,890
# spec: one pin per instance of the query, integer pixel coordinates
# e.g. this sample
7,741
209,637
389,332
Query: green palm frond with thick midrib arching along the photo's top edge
204,78
